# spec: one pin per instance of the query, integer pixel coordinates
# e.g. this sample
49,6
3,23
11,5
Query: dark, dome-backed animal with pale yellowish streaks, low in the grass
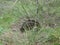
29,24
